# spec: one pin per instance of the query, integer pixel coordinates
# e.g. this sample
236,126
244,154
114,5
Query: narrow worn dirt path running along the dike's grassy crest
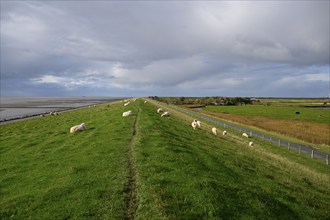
130,189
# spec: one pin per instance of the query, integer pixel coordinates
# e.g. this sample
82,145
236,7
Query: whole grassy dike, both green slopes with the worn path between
148,167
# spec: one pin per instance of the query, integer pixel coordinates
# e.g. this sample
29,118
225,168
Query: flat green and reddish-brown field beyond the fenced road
311,125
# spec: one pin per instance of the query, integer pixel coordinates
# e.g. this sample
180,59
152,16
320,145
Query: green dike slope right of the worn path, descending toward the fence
186,174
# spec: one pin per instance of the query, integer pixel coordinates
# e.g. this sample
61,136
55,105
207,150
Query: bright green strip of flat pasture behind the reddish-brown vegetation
278,112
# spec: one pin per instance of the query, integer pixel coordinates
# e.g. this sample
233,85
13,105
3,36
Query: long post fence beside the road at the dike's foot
286,144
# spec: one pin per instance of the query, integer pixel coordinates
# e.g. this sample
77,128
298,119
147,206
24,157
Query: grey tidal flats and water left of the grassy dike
12,108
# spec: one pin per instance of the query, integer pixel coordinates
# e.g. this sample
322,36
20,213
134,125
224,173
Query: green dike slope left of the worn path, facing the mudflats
48,173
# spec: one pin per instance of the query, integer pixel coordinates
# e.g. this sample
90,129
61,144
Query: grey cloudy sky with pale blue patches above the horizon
165,48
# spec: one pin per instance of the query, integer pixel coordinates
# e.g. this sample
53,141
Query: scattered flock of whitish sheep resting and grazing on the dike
195,124
